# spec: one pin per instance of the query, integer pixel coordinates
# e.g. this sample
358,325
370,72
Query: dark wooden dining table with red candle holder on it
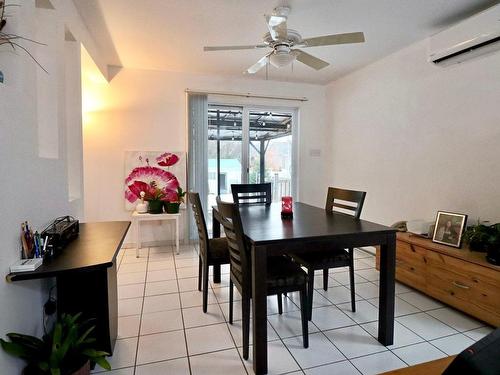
310,229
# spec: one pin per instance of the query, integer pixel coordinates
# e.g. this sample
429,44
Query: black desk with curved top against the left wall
85,274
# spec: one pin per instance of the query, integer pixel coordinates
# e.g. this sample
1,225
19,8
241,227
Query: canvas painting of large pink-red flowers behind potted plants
158,174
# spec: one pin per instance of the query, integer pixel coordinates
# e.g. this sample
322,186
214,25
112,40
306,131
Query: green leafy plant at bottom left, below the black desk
64,350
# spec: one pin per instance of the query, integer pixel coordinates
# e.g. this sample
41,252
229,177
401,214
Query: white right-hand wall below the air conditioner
418,138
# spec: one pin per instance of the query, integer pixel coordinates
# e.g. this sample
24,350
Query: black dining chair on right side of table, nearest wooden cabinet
348,202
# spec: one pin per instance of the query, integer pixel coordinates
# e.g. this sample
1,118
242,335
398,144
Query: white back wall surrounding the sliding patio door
146,110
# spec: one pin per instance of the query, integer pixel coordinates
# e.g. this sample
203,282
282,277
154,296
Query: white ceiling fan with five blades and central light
281,40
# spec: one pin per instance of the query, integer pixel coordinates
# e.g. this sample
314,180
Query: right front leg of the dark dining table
387,291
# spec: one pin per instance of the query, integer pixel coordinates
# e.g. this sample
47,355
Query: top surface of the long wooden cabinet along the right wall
463,253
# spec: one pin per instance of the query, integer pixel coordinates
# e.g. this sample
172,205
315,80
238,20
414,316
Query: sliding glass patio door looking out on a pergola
249,145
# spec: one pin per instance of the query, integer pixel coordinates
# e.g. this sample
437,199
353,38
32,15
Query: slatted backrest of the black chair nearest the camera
238,252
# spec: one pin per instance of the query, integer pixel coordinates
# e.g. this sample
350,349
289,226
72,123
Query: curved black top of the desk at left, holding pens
95,247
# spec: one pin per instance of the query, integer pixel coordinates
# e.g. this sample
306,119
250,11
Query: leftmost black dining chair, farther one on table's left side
213,251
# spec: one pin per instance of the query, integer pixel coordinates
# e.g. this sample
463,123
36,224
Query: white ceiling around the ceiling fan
170,34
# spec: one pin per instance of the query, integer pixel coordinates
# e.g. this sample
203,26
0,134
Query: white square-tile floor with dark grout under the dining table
162,329
